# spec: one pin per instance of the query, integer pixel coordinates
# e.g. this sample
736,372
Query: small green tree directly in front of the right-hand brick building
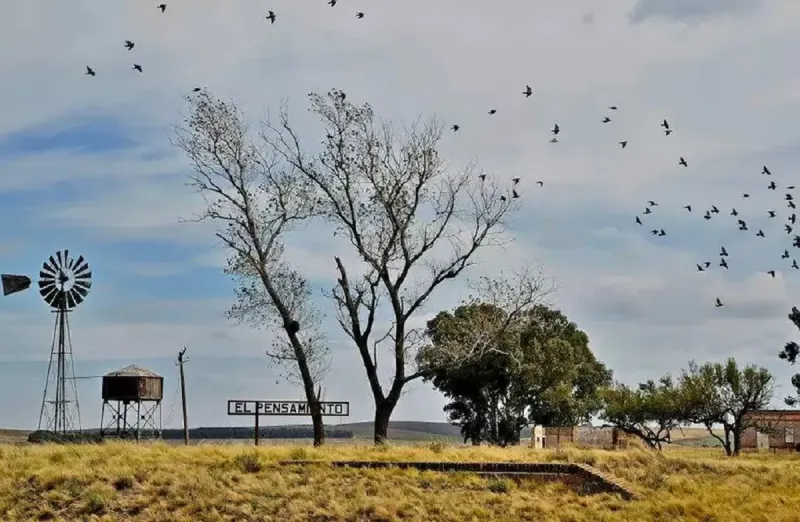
723,394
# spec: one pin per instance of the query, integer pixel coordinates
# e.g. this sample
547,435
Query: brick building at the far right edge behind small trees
780,430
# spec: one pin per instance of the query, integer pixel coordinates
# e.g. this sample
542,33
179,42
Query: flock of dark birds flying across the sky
665,125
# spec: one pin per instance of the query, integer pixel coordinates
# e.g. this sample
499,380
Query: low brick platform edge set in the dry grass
584,478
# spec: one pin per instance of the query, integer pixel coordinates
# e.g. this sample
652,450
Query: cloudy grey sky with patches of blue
86,164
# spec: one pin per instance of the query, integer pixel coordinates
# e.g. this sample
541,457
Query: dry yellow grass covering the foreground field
208,483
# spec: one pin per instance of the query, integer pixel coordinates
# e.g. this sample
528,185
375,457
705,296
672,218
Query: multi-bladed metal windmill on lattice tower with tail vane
63,284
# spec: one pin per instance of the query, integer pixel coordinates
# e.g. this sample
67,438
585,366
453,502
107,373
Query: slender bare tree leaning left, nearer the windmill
255,199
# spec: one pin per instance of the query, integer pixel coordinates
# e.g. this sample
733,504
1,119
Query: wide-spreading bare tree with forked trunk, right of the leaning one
401,209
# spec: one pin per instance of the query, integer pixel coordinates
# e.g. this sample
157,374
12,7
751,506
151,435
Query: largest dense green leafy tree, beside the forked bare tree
537,368
